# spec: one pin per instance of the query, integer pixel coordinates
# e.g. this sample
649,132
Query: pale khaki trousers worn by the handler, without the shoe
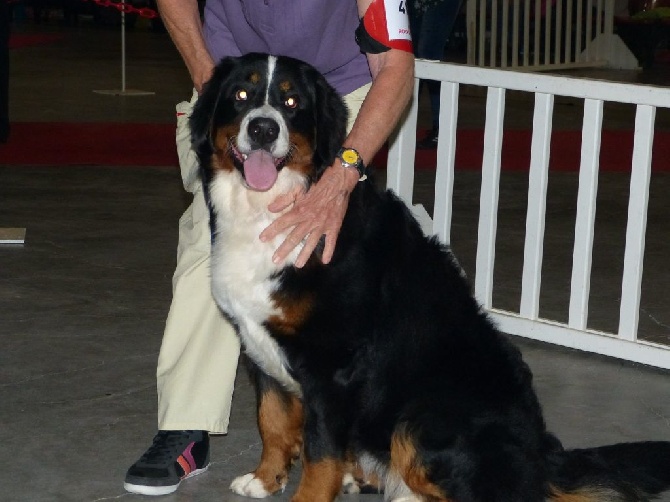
198,357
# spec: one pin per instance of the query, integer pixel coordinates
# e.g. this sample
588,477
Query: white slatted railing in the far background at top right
544,34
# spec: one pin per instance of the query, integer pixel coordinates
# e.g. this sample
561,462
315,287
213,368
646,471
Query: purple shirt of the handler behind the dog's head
320,32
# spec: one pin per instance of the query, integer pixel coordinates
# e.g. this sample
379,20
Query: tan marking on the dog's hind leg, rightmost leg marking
407,464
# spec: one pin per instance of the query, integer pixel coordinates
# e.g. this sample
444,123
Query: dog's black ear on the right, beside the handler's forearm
331,122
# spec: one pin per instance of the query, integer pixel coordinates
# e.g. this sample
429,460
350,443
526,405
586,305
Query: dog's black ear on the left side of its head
201,120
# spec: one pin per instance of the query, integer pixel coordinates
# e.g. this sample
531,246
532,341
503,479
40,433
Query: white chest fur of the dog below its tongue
242,267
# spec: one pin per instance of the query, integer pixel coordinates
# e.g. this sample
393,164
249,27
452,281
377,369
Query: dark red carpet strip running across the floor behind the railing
59,144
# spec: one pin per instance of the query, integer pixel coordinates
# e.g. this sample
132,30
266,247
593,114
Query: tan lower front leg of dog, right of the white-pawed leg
321,481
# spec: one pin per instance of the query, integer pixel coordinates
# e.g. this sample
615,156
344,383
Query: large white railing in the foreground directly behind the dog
624,344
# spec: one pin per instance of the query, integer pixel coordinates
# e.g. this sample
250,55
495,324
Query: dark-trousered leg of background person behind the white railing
436,24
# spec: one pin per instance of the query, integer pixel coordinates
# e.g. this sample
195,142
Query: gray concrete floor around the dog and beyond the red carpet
83,303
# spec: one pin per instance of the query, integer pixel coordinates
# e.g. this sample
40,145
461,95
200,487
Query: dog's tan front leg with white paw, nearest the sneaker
280,425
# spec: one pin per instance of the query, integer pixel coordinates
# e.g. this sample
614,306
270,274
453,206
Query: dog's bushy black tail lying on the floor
625,472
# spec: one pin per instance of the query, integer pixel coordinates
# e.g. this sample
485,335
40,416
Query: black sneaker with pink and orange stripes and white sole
173,457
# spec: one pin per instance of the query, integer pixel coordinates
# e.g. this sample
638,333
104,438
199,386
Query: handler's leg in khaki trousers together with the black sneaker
198,357
